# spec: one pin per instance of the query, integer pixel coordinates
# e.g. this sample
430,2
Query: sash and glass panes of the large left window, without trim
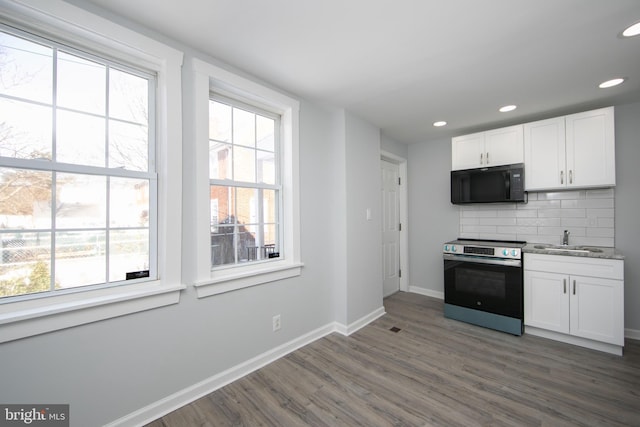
77,178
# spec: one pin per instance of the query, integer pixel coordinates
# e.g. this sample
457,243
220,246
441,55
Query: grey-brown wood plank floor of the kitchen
433,372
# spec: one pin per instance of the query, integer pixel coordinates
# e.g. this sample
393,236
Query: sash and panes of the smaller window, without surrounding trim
244,183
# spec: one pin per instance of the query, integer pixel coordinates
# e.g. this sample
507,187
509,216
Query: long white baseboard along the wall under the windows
185,396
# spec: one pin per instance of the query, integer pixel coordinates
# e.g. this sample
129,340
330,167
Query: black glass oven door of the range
494,286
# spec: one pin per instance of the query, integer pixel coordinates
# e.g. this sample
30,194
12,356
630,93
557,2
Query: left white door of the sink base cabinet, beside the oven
546,300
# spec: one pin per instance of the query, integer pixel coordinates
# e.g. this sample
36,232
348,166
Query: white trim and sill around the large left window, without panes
65,22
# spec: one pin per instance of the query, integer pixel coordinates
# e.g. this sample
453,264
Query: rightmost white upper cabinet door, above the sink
591,148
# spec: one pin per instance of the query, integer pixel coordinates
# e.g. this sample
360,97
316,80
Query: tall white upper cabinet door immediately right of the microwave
544,155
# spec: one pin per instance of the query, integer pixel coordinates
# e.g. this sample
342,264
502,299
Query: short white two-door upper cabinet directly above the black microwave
484,149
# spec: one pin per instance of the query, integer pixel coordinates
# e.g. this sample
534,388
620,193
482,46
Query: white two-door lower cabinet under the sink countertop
578,300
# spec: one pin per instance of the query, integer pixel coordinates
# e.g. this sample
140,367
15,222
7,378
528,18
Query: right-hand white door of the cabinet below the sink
597,309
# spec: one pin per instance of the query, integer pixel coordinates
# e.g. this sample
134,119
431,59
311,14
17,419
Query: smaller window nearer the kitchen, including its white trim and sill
244,226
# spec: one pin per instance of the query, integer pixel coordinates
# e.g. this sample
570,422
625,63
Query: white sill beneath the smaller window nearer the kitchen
231,280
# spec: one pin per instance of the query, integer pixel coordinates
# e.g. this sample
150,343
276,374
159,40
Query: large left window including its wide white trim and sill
91,182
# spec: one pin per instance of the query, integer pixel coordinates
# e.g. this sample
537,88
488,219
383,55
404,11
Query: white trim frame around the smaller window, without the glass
205,79
